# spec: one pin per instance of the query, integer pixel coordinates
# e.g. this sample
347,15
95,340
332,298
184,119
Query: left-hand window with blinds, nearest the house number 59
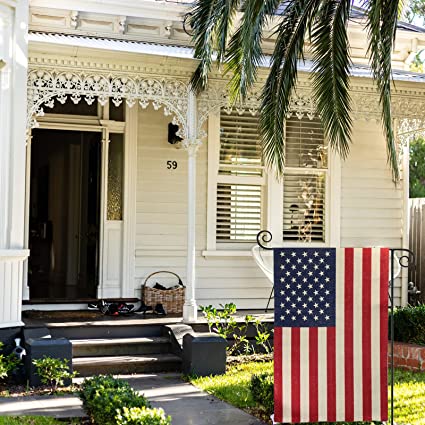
240,179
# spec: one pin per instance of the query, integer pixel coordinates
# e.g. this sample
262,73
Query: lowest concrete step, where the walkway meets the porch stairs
89,366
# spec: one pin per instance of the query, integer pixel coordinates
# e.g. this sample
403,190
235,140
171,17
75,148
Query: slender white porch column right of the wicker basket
191,144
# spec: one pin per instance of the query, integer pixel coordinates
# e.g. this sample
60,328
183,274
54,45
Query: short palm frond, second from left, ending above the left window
244,53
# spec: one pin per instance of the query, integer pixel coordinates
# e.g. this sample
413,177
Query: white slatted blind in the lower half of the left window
238,212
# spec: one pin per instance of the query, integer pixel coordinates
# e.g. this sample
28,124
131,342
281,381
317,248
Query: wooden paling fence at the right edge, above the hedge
417,243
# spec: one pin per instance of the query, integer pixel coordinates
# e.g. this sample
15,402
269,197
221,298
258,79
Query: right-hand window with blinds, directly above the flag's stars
305,181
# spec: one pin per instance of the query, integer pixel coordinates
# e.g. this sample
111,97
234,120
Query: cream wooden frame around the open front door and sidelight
128,229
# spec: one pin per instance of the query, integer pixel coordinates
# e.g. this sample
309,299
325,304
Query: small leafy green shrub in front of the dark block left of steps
52,371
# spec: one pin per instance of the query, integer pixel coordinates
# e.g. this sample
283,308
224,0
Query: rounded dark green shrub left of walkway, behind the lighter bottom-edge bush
104,396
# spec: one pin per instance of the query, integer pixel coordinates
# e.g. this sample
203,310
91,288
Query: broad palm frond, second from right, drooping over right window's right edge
331,79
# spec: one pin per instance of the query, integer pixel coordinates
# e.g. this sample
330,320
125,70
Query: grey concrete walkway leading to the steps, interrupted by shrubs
185,403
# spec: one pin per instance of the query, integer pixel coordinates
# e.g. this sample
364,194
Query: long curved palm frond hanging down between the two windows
281,81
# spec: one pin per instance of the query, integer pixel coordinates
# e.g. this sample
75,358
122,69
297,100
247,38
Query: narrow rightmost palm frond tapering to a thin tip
382,26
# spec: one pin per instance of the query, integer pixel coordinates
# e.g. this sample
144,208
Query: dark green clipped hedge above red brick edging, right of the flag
409,324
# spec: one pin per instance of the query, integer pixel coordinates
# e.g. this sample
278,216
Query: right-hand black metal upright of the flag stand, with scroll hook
406,260
